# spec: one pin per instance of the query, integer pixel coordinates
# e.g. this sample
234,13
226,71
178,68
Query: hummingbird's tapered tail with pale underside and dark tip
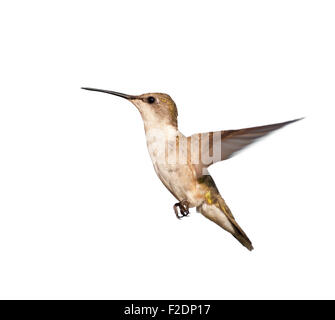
220,213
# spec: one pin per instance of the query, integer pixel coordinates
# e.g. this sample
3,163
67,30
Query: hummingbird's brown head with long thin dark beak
156,109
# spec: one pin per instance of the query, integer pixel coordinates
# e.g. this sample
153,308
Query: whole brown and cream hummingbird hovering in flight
182,162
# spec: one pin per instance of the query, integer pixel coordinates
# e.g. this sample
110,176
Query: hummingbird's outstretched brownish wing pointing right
221,145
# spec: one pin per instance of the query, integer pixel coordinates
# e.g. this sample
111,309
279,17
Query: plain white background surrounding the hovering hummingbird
82,213
